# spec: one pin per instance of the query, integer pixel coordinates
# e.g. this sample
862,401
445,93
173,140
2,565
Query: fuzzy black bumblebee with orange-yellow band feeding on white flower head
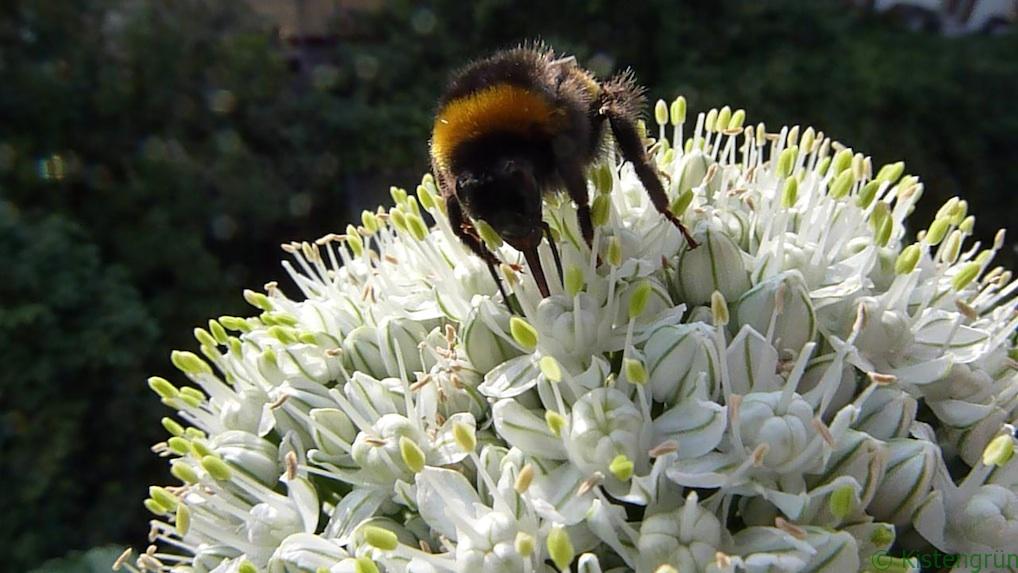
523,124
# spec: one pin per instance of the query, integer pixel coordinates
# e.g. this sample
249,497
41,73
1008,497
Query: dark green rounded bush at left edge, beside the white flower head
73,332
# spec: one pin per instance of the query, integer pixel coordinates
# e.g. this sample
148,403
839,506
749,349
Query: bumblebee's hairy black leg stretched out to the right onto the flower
621,101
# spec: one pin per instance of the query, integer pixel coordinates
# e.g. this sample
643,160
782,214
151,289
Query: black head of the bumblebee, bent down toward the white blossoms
506,196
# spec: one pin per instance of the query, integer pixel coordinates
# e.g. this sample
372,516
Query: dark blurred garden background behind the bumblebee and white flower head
154,154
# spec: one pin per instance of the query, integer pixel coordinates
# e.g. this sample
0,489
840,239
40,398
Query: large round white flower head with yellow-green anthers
801,392
